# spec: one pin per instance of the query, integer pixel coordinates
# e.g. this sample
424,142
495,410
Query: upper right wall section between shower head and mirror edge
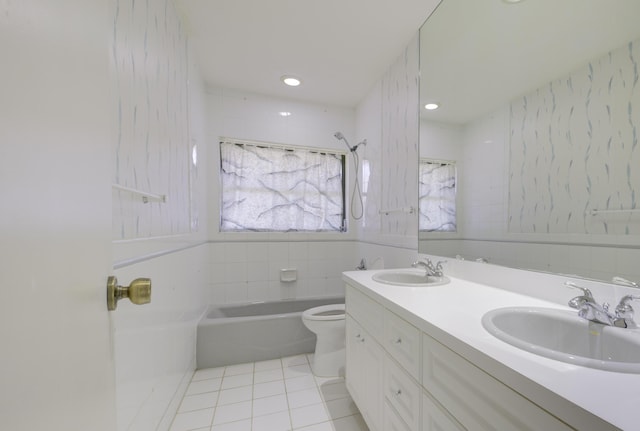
388,117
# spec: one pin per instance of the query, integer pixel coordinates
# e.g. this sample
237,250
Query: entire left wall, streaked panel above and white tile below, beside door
157,120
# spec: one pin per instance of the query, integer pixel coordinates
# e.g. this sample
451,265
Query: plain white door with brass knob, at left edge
56,360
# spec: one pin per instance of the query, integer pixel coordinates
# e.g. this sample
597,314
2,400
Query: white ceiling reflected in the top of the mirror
477,55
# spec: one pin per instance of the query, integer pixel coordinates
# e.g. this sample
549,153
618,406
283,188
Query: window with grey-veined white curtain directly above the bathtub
269,188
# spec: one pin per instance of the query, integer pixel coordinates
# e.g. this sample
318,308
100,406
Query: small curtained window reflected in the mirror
437,189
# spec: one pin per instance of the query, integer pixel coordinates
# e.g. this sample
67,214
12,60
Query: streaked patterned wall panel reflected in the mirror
574,148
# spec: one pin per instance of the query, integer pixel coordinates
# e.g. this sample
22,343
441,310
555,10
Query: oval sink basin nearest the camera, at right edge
562,335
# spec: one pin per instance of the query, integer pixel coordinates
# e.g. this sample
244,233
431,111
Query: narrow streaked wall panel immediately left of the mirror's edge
400,142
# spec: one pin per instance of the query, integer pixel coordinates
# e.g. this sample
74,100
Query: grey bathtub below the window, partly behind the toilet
236,334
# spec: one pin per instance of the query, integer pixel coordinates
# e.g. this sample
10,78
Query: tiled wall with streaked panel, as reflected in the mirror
539,221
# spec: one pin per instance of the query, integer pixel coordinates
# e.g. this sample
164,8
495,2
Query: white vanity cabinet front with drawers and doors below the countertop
402,379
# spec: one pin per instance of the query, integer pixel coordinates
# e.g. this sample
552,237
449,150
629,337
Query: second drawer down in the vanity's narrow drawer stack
402,392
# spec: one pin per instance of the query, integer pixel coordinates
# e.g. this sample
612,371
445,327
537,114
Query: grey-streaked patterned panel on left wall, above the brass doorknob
149,60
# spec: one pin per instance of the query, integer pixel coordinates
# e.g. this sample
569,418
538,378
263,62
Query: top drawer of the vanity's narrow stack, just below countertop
402,341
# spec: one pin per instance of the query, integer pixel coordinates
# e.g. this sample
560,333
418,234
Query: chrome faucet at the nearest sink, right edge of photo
589,309
